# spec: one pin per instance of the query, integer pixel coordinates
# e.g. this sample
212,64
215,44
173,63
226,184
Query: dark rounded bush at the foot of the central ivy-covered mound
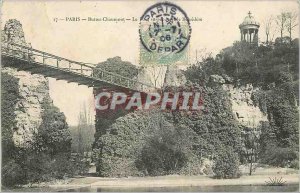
165,150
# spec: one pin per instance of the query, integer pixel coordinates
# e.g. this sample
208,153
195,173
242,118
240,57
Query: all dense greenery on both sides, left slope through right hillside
155,142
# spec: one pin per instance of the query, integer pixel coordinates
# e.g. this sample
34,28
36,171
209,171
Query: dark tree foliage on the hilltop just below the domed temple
261,65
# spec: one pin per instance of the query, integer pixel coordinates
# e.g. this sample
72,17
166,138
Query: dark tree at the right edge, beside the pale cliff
280,140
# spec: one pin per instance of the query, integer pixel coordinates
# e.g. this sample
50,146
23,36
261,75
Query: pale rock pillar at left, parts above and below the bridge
32,89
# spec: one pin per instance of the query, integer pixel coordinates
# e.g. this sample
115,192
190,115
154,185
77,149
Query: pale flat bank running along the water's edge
260,176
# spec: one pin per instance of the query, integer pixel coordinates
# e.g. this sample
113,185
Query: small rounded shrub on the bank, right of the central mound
226,164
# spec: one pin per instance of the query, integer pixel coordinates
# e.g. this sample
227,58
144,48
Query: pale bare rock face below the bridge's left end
32,89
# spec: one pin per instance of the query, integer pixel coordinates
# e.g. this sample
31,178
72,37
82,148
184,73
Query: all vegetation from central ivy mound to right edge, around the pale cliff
160,143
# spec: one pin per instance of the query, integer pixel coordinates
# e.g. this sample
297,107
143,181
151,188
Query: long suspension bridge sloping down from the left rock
25,58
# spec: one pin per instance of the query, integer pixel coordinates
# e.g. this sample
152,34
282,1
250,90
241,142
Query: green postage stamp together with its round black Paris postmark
165,33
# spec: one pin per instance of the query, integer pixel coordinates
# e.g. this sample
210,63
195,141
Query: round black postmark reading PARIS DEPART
164,28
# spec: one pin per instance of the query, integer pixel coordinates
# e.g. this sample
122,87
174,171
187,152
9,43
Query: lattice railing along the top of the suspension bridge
43,58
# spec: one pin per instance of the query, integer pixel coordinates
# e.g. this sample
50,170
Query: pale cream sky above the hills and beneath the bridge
94,42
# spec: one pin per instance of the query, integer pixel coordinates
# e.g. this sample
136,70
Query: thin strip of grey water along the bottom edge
231,188
